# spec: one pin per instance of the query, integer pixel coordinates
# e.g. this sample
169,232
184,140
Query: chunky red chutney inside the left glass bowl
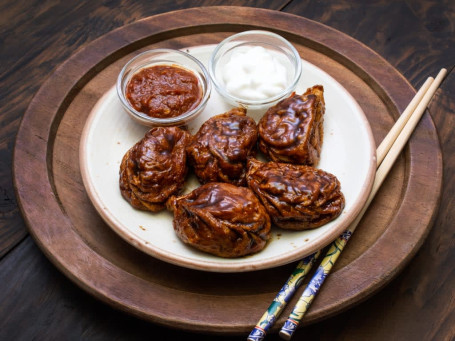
164,91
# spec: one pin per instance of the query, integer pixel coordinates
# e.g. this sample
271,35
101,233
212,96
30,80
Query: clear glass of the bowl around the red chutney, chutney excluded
163,57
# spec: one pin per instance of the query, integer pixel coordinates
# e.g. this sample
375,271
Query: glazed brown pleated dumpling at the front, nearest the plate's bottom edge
221,219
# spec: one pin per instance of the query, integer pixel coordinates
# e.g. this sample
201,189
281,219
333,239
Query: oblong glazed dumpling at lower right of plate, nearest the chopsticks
297,197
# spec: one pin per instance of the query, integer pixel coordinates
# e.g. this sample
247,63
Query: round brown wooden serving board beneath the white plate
67,228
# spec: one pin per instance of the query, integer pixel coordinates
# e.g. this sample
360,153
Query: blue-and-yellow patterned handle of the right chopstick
312,288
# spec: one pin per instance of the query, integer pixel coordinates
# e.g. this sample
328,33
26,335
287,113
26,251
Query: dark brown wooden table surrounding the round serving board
39,302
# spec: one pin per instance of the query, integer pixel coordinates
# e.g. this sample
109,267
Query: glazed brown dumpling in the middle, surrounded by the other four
219,150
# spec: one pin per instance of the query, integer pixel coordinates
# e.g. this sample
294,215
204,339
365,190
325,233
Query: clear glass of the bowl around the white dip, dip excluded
279,47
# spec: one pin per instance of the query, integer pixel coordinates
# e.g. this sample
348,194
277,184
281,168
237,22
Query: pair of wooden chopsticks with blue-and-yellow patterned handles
386,155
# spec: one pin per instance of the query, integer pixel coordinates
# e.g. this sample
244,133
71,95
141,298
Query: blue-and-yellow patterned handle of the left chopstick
282,298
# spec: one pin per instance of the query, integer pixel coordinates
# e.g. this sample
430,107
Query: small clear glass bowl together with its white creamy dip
255,69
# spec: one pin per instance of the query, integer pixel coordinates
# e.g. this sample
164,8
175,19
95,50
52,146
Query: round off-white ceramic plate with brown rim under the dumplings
348,152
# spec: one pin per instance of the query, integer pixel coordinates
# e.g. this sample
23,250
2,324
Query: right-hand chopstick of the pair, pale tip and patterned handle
337,247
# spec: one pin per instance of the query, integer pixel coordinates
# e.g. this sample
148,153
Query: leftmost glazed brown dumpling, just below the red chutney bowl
154,168
